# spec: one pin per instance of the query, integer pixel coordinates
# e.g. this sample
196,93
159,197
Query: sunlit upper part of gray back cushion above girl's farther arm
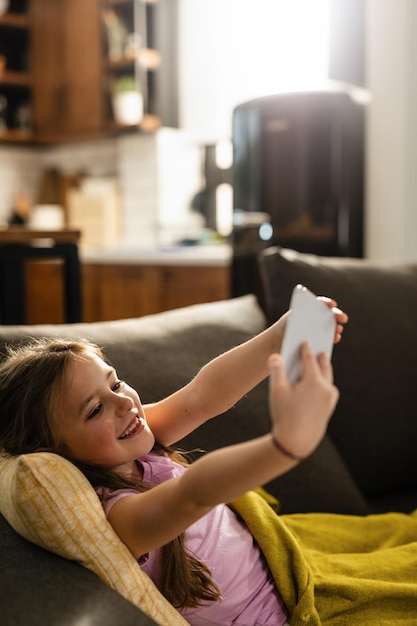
156,354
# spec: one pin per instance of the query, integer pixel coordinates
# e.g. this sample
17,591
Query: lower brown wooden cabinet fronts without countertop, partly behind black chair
119,291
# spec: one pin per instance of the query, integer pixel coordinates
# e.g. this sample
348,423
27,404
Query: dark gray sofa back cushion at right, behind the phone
375,424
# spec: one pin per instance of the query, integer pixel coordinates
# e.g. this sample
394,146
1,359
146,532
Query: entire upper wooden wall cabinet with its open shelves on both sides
58,65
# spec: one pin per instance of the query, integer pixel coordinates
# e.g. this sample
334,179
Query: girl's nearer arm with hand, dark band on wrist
300,414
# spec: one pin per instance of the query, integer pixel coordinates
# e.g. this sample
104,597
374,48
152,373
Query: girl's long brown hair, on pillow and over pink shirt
32,378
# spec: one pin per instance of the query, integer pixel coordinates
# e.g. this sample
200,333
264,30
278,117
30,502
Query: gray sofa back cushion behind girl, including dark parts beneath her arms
159,353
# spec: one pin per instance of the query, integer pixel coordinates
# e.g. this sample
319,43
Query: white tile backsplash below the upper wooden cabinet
158,175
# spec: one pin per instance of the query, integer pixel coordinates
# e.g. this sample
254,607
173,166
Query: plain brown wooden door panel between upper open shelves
66,60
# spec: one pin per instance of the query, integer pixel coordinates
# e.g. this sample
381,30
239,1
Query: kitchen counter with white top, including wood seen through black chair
128,283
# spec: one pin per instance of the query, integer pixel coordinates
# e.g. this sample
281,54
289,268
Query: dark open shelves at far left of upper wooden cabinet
16,79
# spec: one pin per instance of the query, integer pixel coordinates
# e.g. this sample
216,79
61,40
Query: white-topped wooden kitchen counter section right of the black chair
130,282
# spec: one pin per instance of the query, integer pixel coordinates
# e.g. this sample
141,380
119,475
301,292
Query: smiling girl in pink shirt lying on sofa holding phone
67,399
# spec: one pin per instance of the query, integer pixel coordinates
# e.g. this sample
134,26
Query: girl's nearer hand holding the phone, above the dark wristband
300,413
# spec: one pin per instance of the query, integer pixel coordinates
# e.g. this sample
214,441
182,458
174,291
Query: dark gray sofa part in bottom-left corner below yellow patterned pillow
38,588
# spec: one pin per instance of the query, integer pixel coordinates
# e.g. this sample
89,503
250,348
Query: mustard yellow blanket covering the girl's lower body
339,570
